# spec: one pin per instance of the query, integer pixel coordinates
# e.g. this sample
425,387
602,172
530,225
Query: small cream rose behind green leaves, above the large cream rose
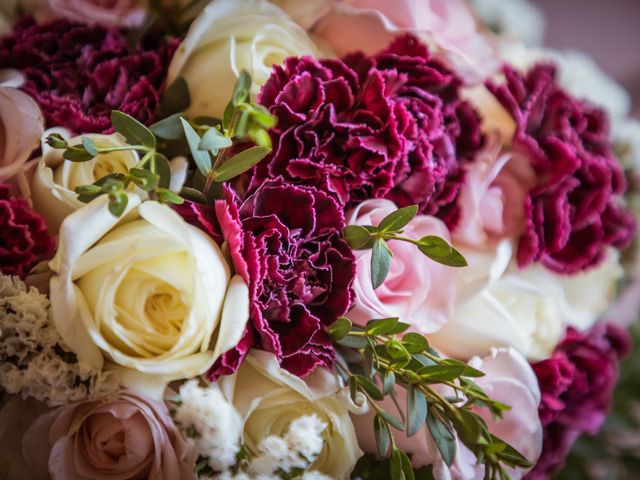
54,179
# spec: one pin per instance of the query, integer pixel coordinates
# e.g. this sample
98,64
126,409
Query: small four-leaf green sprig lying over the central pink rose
364,237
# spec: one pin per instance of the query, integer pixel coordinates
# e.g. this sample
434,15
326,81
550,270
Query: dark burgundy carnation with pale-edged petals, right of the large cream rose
286,243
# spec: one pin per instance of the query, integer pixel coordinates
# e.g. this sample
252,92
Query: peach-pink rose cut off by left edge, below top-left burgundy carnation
21,125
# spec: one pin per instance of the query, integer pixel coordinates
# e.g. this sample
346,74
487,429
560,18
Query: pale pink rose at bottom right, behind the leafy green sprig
508,379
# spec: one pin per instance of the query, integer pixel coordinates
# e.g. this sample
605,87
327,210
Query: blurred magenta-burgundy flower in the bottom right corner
576,384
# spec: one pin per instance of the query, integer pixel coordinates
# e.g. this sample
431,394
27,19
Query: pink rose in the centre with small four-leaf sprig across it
417,290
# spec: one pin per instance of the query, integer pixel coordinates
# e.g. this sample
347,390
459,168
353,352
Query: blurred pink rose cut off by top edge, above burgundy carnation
112,13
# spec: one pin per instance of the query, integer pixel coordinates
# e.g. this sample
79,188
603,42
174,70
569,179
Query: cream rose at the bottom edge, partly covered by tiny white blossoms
269,398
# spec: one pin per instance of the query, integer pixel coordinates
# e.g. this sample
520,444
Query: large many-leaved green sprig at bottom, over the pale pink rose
386,361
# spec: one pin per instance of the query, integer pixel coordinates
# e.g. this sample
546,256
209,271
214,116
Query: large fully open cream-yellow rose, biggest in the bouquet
146,291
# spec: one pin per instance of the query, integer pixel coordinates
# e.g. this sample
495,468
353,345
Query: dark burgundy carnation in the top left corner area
78,73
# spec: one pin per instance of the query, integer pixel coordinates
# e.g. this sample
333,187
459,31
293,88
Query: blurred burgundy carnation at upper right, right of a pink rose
573,211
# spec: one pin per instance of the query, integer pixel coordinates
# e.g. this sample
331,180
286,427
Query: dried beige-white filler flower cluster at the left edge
33,358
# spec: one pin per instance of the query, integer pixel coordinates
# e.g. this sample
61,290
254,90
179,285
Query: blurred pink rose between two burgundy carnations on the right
492,197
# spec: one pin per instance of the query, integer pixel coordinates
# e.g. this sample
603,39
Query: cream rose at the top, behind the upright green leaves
230,36
